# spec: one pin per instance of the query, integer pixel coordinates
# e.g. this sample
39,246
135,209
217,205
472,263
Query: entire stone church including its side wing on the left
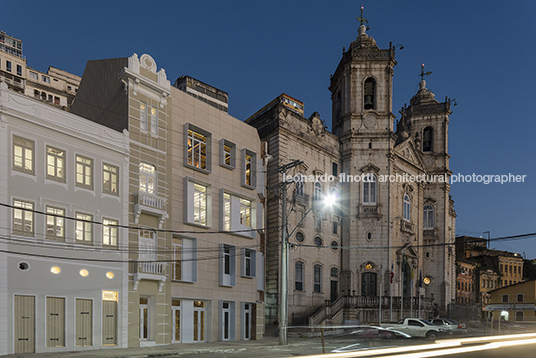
400,218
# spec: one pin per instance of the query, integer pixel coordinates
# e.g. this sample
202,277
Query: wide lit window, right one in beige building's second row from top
238,213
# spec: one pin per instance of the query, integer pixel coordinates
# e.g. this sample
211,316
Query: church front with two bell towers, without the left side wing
392,222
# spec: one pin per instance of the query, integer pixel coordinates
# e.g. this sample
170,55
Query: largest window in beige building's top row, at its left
198,148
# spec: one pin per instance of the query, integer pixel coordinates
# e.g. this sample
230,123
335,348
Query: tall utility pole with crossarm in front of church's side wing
283,290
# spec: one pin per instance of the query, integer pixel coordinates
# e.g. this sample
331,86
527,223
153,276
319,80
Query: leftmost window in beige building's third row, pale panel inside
184,259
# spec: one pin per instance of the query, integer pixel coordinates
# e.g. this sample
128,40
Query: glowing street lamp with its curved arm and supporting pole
325,202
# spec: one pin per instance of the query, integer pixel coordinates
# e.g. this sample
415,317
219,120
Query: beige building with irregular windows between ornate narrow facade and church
216,173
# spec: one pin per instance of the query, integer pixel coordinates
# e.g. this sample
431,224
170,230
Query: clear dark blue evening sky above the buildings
480,53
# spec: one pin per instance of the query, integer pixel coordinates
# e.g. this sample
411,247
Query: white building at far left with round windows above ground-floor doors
63,193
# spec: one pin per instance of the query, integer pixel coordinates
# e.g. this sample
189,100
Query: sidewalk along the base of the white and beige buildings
170,350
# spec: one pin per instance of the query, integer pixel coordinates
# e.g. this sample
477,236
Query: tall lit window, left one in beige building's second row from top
198,203
